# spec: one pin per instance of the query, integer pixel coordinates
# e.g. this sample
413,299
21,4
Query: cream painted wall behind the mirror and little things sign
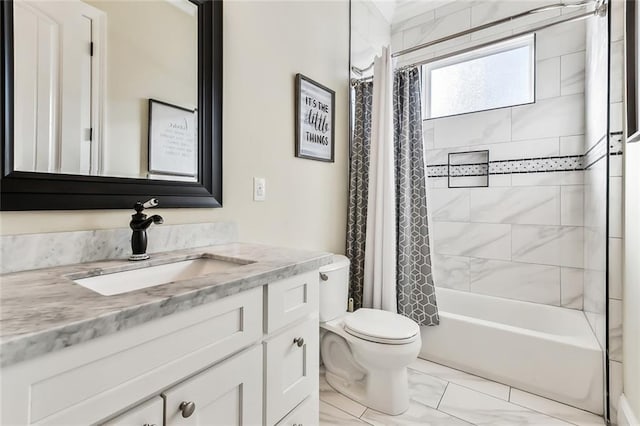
265,45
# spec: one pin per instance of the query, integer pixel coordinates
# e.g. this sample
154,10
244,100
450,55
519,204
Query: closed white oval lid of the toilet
381,326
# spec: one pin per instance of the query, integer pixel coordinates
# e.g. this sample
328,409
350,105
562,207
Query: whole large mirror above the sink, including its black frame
75,127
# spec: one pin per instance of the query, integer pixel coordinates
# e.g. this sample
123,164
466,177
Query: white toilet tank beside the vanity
334,290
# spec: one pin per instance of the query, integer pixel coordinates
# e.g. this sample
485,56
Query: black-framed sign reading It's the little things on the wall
310,145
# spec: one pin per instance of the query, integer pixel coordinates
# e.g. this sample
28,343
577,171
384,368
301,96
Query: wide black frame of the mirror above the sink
49,191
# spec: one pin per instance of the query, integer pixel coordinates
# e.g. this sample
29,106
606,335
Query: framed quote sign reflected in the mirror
172,139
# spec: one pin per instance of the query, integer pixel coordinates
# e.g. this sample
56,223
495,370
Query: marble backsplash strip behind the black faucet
34,251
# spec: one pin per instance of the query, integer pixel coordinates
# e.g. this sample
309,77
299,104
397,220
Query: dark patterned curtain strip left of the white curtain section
359,189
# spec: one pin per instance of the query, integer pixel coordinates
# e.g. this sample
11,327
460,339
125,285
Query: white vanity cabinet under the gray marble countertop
244,359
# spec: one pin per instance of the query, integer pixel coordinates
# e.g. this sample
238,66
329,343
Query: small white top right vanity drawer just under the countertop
291,299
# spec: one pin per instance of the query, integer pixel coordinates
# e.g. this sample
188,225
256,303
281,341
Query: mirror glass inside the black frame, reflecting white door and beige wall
84,74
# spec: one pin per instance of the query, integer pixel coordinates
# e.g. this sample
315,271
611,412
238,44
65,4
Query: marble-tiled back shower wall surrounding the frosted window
521,237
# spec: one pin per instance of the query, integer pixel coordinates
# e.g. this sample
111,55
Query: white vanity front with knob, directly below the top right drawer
292,369
